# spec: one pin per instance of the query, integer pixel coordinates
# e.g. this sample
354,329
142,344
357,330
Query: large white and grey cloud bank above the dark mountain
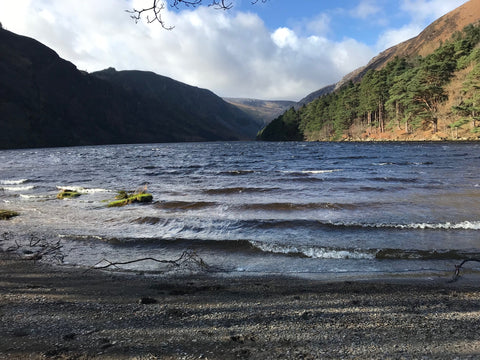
230,53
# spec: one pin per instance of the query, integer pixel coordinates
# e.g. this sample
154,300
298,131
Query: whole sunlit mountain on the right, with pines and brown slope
423,89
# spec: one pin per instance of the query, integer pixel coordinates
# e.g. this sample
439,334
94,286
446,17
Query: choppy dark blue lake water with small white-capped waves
287,208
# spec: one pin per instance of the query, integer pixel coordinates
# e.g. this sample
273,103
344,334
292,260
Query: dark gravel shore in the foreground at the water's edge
66,313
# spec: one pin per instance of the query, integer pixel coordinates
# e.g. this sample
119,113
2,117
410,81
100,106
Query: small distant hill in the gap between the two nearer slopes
263,111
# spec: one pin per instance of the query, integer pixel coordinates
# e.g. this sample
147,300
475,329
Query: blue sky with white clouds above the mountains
273,50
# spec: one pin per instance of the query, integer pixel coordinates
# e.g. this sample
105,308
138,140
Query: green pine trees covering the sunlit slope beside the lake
405,94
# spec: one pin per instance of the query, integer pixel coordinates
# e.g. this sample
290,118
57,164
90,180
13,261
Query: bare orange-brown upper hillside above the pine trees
423,44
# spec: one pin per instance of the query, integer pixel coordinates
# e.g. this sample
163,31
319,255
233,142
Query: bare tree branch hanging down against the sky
154,12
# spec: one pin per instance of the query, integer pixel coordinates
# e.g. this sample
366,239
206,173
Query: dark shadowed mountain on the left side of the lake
46,101
